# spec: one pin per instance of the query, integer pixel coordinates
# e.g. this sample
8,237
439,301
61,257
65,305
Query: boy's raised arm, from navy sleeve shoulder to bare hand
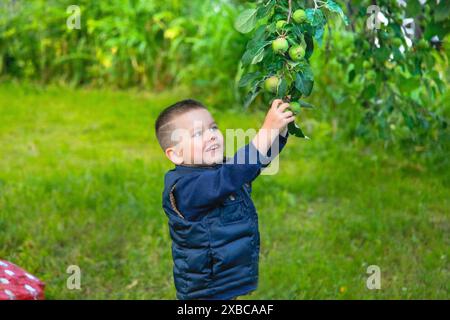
197,193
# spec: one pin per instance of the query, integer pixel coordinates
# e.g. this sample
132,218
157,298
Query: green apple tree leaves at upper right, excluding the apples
394,59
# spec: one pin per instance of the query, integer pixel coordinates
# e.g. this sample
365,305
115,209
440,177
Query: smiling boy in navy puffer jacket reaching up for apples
212,220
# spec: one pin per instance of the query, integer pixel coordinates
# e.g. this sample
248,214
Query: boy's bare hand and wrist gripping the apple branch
276,121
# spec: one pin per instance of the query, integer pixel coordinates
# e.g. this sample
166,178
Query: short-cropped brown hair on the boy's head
164,129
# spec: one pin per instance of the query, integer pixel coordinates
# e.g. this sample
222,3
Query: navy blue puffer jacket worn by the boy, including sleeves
214,226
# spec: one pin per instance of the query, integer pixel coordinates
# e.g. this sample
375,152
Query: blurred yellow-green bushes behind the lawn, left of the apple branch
150,44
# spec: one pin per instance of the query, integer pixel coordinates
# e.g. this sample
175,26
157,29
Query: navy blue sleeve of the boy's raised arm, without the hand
197,193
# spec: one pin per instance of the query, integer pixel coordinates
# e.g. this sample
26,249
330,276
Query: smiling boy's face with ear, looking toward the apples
200,140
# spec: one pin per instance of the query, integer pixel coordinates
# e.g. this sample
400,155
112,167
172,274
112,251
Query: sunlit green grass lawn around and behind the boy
81,177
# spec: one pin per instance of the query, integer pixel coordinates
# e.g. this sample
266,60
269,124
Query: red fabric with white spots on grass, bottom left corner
17,284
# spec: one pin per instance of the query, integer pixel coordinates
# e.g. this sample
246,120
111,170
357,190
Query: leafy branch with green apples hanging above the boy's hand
276,60
